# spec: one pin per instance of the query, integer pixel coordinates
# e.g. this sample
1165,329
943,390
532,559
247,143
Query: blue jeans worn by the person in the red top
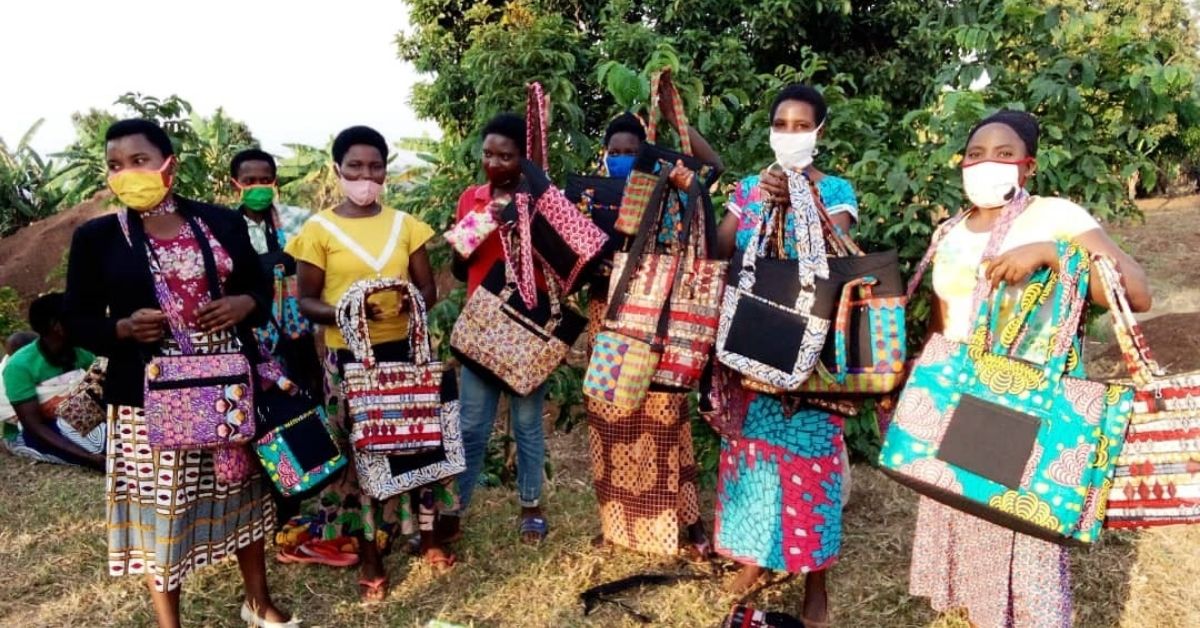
479,400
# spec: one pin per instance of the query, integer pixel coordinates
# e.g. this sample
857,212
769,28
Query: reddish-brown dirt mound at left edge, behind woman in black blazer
28,256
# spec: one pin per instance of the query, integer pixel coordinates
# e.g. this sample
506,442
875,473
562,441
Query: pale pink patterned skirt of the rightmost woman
1027,582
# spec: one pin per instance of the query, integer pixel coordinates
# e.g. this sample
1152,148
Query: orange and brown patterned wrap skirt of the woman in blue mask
644,468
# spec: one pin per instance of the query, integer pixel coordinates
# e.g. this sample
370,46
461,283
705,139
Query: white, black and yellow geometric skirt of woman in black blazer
167,513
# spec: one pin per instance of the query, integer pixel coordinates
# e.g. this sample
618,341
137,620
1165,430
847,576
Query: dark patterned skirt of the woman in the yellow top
343,510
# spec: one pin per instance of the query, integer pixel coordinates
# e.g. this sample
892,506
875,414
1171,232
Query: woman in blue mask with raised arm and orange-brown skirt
644,507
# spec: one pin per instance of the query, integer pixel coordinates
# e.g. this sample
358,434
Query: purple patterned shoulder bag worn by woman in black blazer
197,400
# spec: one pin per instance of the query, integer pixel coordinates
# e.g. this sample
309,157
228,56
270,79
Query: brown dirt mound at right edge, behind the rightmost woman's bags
1174,340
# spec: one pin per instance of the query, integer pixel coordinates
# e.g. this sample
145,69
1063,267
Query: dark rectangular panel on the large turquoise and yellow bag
989,440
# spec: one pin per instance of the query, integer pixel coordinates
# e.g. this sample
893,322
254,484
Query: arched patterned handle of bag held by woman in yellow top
353,320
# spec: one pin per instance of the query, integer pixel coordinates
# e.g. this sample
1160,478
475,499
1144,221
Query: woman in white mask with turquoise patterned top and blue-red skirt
781,494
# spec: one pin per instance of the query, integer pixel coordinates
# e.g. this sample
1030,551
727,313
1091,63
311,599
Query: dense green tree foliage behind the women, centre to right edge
1115,86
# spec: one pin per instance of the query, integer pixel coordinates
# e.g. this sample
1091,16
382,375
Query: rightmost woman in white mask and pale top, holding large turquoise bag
1003,578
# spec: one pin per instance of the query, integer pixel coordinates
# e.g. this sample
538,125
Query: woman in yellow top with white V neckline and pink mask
356,241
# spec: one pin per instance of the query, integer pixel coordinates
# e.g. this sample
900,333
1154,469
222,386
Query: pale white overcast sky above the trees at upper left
295,71
